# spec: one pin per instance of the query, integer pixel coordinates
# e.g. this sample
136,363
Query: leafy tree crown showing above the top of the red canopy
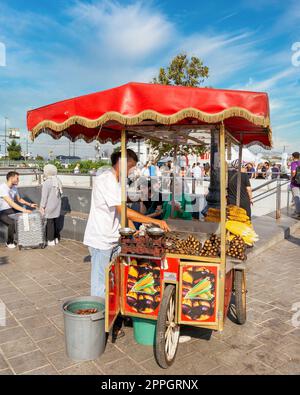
183,71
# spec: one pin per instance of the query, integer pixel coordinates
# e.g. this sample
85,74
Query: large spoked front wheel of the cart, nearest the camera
167,330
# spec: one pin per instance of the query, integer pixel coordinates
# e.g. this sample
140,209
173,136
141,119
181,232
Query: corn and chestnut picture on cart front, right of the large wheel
198,294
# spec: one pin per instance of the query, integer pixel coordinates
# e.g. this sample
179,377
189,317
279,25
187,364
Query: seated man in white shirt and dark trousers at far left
10,202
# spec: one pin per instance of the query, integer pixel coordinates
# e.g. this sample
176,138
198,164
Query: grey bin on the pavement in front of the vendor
85,336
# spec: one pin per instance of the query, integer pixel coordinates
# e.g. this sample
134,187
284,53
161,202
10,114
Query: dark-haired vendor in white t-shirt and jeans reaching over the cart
102,231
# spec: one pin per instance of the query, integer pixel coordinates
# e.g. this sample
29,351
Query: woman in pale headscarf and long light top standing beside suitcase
51,203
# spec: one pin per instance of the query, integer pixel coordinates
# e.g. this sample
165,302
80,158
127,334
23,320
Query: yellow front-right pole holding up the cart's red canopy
223,228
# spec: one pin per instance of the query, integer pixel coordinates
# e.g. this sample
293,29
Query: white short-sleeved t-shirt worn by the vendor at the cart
102,230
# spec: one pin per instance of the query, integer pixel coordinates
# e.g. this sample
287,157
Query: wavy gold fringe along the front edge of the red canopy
154,116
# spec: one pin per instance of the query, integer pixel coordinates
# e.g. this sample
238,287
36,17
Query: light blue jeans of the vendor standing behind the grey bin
100,259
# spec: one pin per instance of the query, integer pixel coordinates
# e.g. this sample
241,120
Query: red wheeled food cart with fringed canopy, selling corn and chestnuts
193,285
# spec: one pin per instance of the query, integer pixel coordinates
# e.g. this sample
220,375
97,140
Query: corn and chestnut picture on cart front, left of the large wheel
143,288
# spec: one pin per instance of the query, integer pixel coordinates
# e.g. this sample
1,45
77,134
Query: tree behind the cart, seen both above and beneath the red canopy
184,72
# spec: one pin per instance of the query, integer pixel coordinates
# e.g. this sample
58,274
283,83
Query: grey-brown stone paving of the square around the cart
34,284
